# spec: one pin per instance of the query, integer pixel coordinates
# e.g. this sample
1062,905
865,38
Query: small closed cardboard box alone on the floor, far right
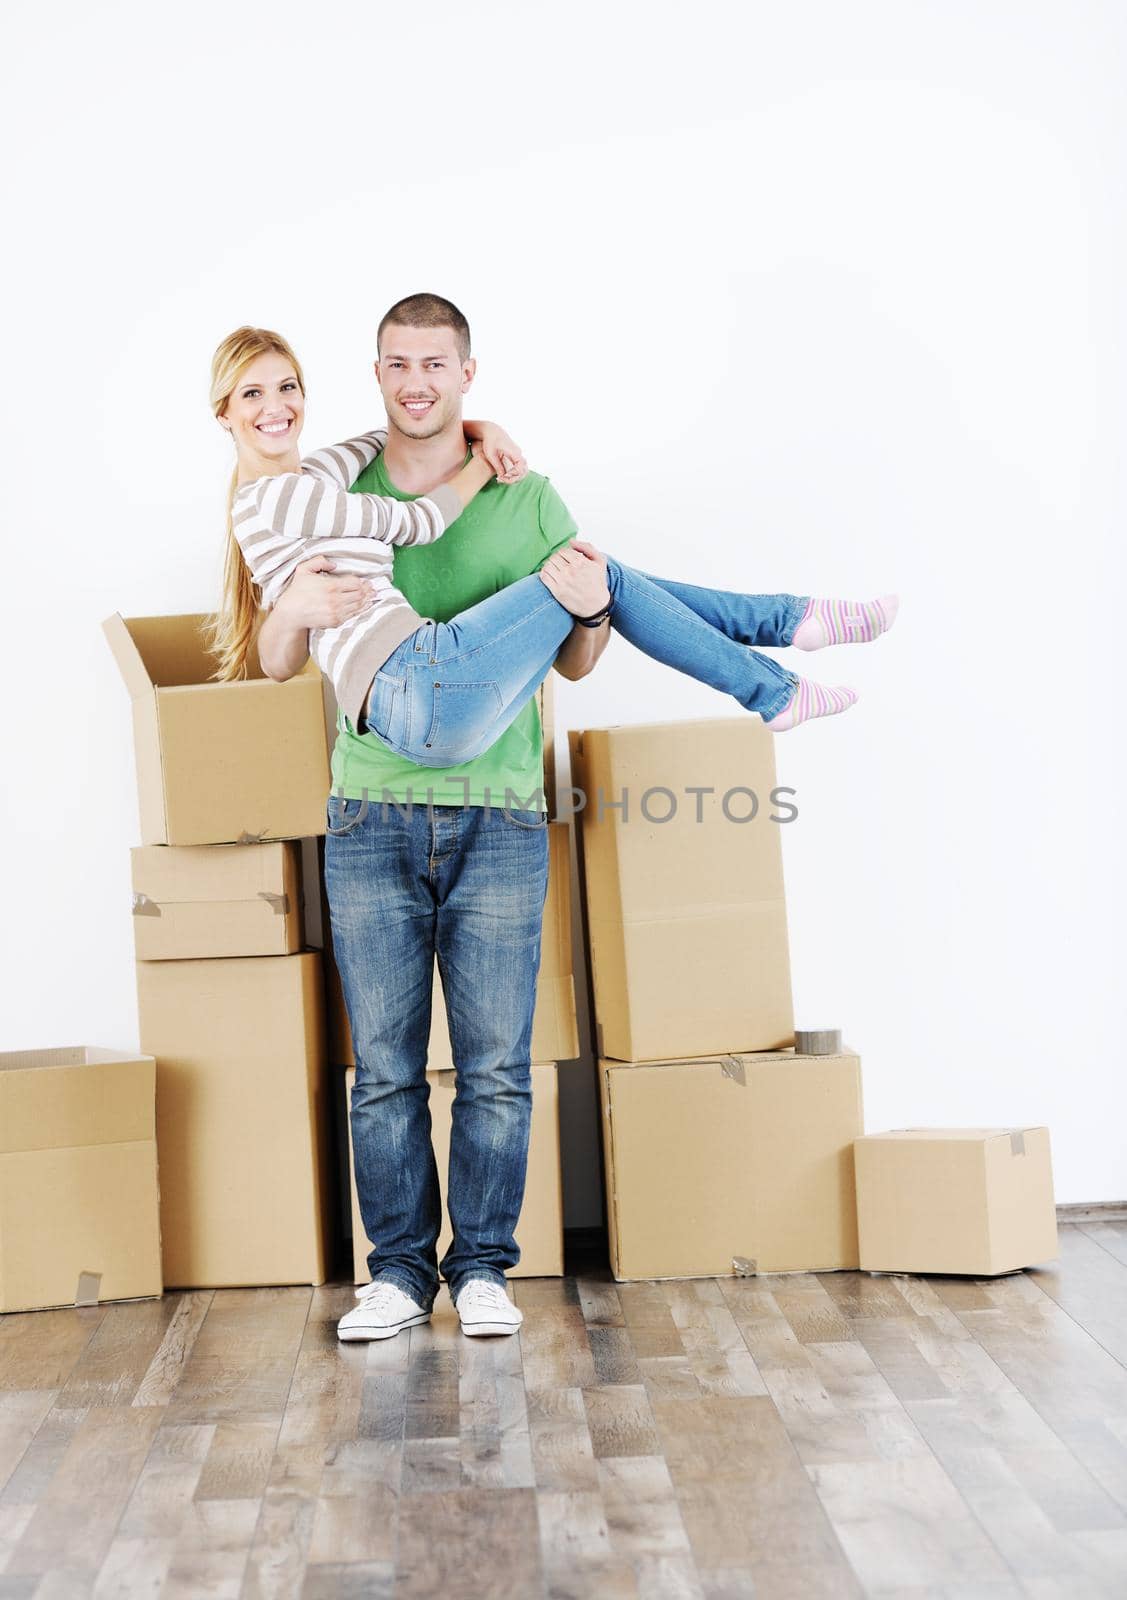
976,1201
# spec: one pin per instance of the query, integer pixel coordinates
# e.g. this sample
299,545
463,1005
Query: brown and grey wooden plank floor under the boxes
811,1438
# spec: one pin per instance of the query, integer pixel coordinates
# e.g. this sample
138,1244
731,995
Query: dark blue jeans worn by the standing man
470,886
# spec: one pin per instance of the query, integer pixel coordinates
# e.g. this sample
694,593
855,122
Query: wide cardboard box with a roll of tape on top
731,1164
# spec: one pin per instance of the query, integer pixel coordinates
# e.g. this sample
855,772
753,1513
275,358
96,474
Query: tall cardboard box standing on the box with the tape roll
686,918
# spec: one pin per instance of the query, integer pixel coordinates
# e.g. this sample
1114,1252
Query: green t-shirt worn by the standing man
505,534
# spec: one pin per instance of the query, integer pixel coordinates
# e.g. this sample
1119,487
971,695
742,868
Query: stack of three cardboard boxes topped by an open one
231,1006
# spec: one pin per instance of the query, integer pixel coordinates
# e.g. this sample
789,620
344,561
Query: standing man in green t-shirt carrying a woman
441,870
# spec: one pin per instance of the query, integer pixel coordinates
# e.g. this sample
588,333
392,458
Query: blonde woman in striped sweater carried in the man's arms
439,694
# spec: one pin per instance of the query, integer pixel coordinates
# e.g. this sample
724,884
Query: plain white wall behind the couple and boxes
811,297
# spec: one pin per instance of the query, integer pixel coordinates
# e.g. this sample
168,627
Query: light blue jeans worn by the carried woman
452,689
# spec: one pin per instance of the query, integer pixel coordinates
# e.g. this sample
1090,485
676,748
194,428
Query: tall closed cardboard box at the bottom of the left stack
244,1119
